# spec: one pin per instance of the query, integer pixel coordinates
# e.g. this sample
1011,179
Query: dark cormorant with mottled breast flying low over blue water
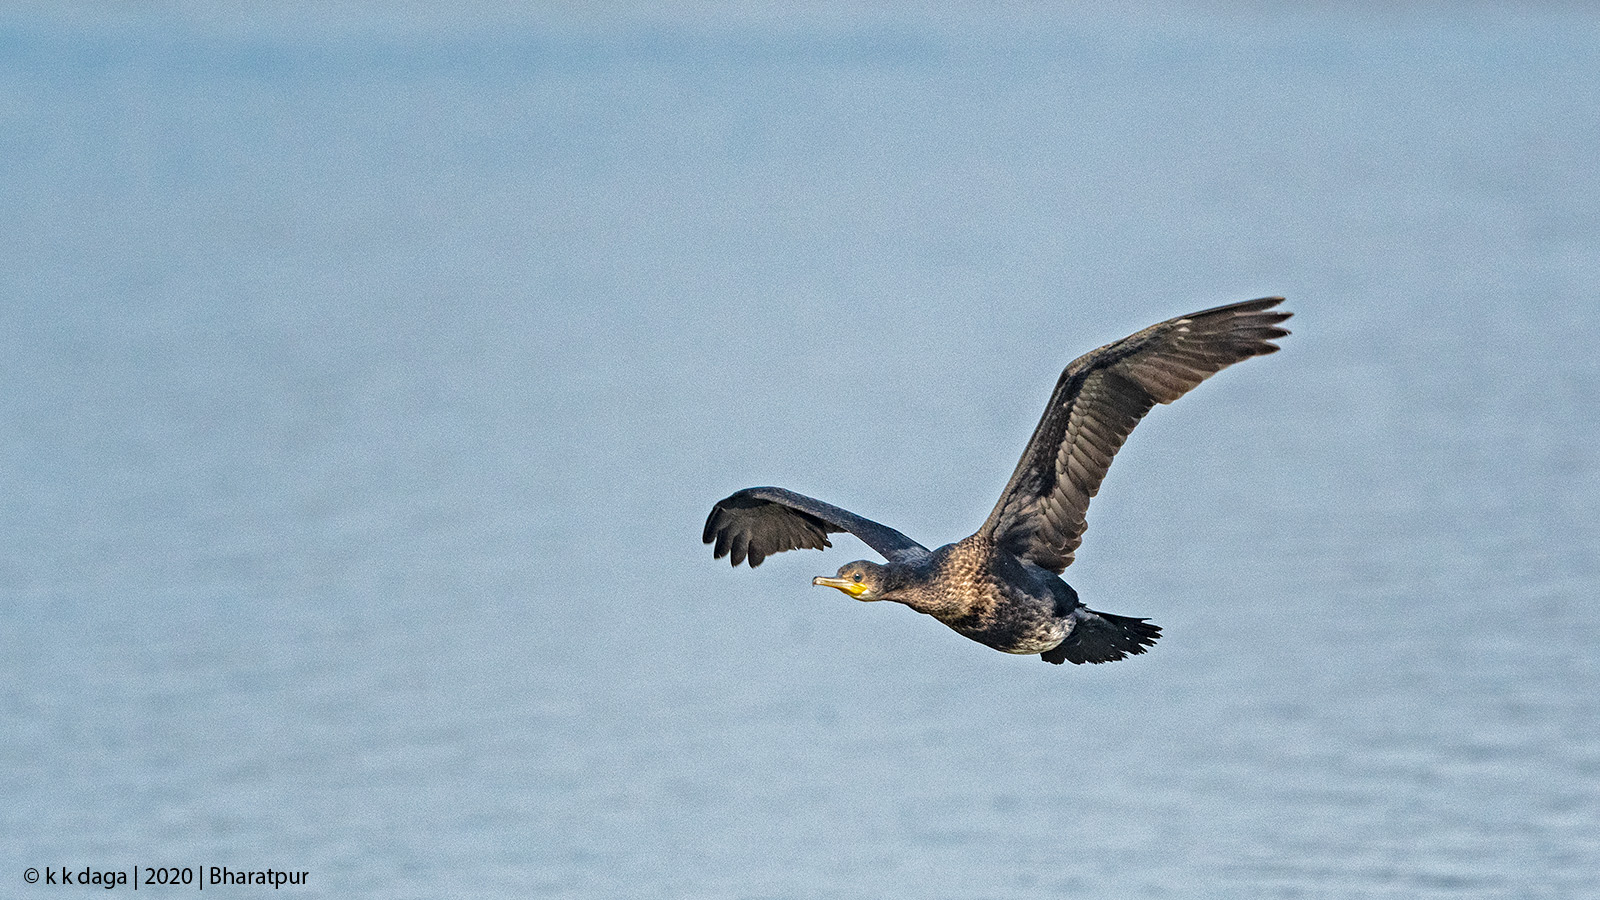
1002,587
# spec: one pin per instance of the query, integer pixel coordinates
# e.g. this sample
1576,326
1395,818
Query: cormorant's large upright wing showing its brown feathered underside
1098,401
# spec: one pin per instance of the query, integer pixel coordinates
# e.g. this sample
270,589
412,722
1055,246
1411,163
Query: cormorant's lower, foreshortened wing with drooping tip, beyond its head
761,521
